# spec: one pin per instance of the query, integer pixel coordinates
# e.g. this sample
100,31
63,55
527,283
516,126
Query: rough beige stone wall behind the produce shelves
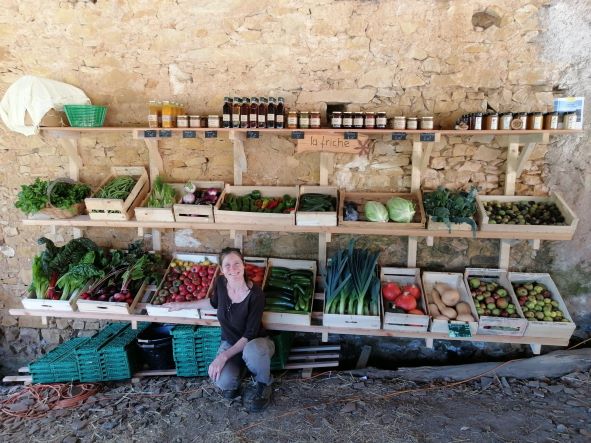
440,58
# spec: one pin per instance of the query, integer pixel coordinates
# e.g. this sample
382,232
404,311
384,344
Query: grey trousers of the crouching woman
256,355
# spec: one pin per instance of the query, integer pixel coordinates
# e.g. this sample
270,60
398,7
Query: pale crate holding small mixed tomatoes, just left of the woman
190,260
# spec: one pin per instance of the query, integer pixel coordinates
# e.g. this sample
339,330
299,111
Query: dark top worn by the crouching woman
238,319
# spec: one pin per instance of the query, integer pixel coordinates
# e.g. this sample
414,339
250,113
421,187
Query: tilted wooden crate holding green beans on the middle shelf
117,209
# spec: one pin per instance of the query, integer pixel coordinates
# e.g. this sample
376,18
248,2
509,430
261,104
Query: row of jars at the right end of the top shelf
519,120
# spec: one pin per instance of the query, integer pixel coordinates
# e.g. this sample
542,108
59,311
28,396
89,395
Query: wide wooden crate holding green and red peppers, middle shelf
256,218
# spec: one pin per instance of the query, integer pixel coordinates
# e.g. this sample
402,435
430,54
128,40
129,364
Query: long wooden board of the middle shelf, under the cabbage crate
378,229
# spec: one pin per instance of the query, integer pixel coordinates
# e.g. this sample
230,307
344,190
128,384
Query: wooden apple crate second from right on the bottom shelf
488,325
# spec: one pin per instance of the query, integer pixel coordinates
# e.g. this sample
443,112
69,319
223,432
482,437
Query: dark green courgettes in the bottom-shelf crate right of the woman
289,290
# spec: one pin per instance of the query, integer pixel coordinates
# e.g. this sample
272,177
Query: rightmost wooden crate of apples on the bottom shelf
536,328
